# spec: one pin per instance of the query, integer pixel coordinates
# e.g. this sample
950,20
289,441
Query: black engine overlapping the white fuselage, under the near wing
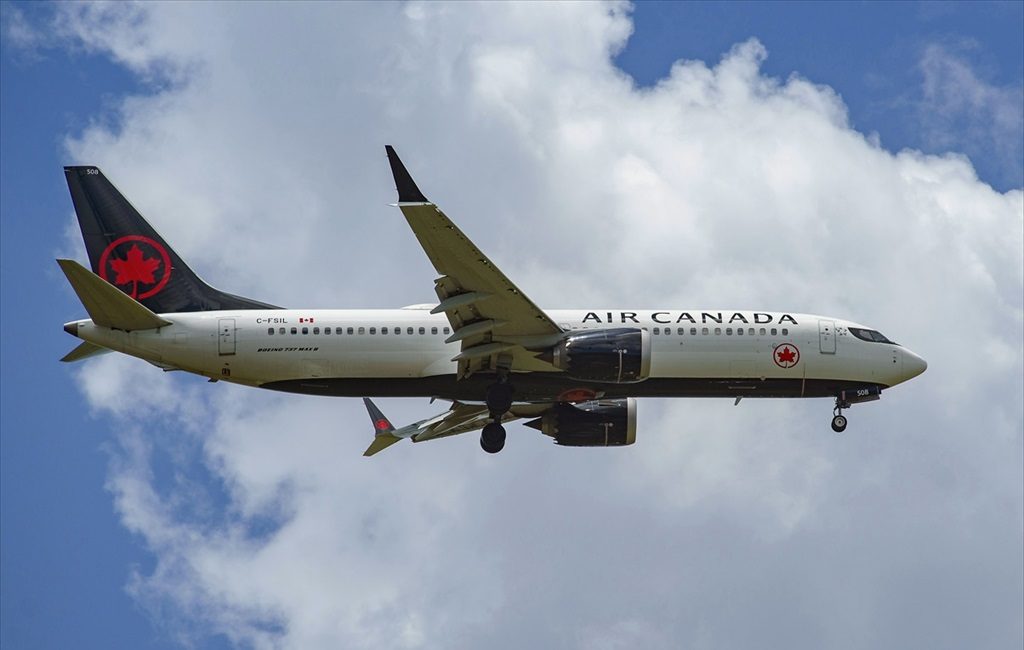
613,357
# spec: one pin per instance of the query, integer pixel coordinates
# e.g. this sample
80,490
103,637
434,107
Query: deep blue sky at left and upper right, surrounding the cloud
67,555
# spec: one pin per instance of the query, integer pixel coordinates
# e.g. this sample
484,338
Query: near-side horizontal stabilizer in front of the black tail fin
108,306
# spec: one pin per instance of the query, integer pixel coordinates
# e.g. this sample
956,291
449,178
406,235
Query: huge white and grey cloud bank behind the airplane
263,161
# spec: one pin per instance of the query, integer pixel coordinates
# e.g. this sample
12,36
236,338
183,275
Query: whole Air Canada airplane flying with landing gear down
485,346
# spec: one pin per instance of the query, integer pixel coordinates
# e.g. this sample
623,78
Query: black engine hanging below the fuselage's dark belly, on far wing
602,423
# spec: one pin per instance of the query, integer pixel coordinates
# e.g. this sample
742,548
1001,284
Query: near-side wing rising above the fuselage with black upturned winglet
494,321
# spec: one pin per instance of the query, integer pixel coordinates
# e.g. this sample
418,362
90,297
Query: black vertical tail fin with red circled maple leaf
125,251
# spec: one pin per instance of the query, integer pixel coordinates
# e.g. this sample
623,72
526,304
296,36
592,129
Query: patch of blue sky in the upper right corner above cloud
869,53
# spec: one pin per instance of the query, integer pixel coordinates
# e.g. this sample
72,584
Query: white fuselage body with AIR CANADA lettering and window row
368,353
